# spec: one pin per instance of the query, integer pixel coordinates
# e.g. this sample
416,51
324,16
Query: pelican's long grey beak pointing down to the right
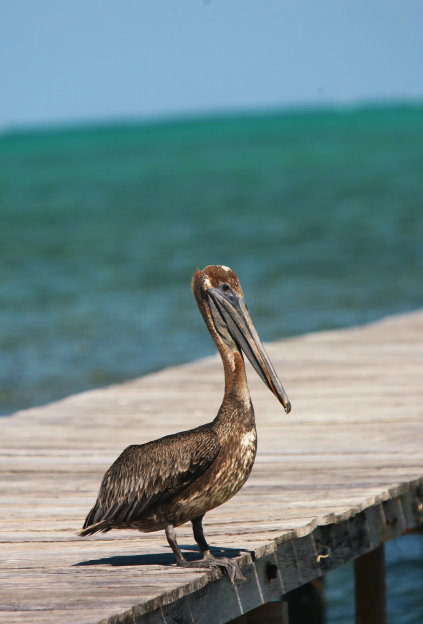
229,307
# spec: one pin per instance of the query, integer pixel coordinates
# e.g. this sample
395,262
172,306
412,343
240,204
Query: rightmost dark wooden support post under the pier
370,601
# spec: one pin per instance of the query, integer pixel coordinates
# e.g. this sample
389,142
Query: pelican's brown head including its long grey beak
219,295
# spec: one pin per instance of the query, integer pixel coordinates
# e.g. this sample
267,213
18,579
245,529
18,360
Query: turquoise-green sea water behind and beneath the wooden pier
319,212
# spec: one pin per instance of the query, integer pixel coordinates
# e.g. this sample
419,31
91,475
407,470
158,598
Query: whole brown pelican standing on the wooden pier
166,482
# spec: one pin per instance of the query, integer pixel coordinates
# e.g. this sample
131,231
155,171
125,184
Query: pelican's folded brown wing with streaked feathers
146,474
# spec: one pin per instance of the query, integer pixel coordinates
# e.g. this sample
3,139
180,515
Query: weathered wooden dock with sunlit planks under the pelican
332,481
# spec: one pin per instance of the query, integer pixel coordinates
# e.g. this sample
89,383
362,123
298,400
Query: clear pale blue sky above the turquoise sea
86,60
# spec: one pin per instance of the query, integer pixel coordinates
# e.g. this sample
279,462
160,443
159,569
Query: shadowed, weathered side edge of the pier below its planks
288,562
